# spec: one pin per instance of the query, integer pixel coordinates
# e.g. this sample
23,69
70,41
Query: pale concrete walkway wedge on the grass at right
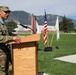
69,58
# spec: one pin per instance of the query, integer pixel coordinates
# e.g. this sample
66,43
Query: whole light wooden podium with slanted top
25,55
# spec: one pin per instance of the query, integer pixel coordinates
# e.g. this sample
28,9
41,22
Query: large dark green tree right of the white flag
66,25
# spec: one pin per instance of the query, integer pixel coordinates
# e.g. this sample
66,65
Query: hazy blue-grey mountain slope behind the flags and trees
25,18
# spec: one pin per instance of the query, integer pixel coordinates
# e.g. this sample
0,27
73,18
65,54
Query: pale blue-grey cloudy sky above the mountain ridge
37,7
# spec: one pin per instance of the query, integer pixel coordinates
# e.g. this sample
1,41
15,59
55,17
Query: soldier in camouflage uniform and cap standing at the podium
5,55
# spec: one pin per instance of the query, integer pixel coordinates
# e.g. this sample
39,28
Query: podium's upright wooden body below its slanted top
25,59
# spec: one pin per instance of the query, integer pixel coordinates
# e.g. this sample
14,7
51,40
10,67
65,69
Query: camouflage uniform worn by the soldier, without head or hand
5,55
